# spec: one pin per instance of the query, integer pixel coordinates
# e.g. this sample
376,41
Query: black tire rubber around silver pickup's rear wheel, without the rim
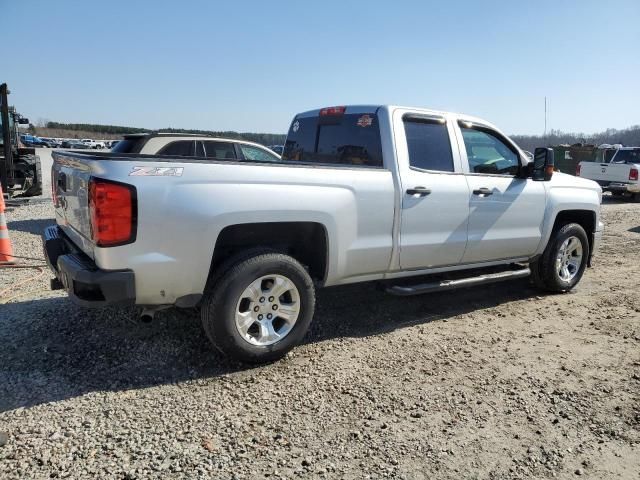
224,291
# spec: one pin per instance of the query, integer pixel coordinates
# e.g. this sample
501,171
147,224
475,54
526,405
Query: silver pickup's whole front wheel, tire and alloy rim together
564,260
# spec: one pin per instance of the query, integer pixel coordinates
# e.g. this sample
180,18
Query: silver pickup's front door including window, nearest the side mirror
505,211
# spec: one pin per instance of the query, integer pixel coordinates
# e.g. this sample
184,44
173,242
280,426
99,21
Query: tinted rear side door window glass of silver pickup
428,144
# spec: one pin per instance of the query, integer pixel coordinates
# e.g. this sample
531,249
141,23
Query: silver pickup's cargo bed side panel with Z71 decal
357,202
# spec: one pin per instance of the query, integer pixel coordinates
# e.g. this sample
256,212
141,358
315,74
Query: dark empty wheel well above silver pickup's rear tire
304,241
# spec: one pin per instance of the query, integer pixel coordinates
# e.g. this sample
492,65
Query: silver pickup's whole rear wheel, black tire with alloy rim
260,308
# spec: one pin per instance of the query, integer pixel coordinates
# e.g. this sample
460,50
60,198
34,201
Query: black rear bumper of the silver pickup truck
86,284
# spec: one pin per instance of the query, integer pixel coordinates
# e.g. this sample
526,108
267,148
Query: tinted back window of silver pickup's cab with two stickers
348,139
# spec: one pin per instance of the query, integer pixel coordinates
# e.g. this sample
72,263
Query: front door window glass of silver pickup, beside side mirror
488,153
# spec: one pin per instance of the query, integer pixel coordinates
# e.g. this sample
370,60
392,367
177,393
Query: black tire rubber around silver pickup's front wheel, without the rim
544,273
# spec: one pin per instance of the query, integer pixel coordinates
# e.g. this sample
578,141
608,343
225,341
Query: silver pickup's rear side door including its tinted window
435,194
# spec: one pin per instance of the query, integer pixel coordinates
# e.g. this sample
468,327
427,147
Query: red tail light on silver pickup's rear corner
113,212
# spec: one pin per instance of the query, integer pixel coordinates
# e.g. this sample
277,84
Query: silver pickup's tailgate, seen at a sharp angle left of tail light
70,176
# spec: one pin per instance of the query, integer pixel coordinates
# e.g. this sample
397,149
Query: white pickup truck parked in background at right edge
619,176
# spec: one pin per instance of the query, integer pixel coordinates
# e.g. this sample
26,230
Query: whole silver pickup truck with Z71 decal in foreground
361,193
